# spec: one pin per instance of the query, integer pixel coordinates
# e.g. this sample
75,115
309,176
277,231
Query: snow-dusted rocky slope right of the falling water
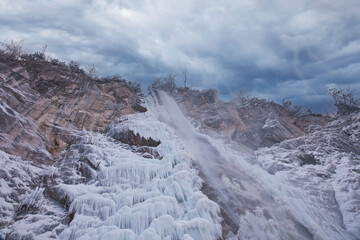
325,161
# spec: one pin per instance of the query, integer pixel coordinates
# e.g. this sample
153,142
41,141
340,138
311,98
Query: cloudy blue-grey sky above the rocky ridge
272,49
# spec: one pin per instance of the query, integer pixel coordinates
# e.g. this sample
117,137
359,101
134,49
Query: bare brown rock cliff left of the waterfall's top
42,103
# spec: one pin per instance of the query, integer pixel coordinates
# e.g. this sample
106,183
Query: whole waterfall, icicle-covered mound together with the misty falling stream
199,189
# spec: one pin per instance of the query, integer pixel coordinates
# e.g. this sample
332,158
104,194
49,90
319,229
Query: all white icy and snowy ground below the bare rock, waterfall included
112,191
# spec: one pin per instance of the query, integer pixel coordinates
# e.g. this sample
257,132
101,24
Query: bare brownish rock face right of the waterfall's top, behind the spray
247,122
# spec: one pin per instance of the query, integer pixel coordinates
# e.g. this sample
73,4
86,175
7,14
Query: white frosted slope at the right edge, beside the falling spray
328,192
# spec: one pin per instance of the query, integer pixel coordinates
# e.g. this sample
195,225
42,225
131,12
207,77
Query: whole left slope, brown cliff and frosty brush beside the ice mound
44,108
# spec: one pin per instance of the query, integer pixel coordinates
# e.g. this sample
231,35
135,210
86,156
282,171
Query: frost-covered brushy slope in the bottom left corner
21,199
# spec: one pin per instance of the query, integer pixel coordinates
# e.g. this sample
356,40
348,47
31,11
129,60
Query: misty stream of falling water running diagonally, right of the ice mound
254,204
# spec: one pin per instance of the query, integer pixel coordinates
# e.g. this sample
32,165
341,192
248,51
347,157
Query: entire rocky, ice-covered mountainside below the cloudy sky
83,159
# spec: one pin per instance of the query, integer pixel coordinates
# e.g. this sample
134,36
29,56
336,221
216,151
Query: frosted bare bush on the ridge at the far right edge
344,101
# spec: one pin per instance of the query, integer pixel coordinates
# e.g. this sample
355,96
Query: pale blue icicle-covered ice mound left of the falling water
132,197
